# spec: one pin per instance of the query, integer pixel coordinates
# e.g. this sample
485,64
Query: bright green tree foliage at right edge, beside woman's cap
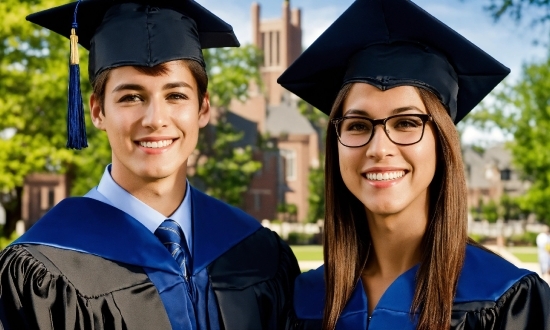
523,111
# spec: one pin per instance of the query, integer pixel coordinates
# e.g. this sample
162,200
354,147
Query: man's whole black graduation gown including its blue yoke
88,265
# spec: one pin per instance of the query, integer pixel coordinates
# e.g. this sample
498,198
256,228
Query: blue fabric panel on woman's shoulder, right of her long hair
486,276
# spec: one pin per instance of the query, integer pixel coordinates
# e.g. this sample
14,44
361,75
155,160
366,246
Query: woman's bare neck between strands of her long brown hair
396,243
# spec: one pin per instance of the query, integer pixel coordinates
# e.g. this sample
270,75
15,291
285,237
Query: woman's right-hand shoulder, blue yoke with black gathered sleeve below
494,292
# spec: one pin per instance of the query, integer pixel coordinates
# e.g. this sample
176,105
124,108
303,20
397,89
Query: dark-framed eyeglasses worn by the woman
356,131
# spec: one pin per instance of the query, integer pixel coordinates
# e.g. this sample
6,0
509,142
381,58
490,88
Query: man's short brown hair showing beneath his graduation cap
197,70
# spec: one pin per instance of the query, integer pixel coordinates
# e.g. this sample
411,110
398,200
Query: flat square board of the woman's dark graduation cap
317,75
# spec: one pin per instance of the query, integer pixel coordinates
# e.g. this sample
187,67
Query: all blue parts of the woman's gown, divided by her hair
484,277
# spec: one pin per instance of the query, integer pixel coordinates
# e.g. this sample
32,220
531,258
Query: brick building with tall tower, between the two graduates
295,143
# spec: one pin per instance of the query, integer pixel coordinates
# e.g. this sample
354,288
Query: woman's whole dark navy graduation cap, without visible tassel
390,43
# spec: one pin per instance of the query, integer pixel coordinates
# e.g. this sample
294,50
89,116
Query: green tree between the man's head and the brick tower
224,169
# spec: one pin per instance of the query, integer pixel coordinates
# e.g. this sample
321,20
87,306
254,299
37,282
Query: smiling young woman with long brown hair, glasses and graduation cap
394,81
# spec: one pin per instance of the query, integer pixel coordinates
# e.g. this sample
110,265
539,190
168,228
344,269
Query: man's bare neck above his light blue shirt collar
162,194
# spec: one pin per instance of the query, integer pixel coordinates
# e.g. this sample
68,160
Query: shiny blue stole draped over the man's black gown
90,226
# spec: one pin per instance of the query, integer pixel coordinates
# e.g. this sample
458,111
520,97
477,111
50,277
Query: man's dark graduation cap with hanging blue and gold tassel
130,32
